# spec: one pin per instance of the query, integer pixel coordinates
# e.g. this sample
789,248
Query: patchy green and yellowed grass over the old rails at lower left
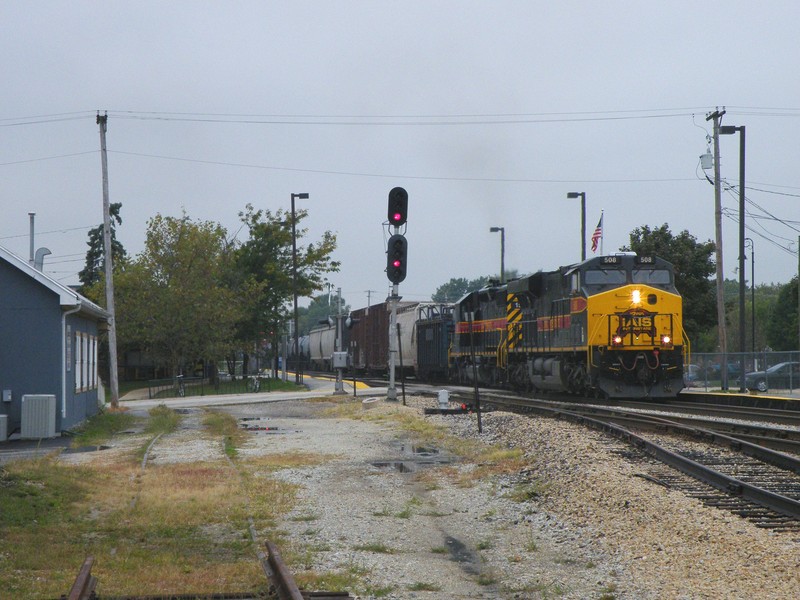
187,532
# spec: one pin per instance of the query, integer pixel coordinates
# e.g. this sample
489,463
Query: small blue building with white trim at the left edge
48,344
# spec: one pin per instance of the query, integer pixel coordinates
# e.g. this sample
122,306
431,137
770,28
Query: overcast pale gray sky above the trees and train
488,113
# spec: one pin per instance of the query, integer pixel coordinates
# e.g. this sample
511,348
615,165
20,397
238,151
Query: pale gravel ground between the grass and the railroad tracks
597,529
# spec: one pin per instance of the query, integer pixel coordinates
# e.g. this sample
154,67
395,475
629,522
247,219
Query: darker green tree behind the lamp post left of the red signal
264,264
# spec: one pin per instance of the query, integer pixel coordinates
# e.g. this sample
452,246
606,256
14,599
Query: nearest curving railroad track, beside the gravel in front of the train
724,471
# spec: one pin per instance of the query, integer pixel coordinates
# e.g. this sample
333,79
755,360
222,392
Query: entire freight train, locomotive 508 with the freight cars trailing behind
609,326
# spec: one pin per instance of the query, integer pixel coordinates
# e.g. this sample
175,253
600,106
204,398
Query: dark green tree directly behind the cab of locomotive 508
693,266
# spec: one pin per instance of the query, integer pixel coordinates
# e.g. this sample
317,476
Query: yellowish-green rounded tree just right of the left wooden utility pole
172,300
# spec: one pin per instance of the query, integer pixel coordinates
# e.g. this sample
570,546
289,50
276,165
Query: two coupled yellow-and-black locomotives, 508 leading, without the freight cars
608,326
